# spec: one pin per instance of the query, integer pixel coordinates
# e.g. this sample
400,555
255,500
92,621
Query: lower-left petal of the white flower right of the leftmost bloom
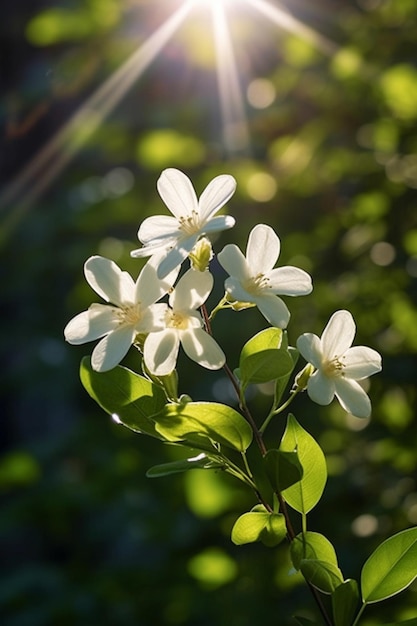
160,352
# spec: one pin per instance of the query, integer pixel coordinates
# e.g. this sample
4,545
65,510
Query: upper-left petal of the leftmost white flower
108,280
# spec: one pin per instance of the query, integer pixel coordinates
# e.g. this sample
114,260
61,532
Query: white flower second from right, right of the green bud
253,279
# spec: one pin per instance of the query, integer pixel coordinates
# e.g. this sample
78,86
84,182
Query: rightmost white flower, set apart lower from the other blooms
338,366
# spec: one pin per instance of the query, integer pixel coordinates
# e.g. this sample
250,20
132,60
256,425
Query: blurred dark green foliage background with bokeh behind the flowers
331,164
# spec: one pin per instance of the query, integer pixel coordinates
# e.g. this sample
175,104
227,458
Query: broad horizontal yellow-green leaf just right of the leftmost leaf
193,420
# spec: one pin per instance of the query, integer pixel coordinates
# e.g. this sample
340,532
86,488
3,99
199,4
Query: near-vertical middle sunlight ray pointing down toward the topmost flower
235,128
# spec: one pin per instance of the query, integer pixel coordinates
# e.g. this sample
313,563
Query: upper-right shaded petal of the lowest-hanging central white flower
192,290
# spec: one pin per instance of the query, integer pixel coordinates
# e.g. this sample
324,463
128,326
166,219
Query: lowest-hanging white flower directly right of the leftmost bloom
184,325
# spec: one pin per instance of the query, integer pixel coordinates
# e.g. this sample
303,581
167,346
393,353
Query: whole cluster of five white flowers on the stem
134,312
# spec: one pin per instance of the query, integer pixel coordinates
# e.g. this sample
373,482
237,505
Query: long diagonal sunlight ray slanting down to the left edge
68,141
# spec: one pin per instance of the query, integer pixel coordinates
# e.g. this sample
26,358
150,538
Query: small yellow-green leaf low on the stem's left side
259,525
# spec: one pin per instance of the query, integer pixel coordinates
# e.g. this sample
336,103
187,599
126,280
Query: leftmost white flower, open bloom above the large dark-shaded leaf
132,310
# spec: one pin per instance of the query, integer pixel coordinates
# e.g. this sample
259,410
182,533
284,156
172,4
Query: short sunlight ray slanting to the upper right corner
293,25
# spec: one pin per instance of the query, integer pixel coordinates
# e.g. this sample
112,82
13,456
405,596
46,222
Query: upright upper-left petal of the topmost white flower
177,191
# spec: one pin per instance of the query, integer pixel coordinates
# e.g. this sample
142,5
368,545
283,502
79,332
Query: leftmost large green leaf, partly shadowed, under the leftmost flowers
131,399
